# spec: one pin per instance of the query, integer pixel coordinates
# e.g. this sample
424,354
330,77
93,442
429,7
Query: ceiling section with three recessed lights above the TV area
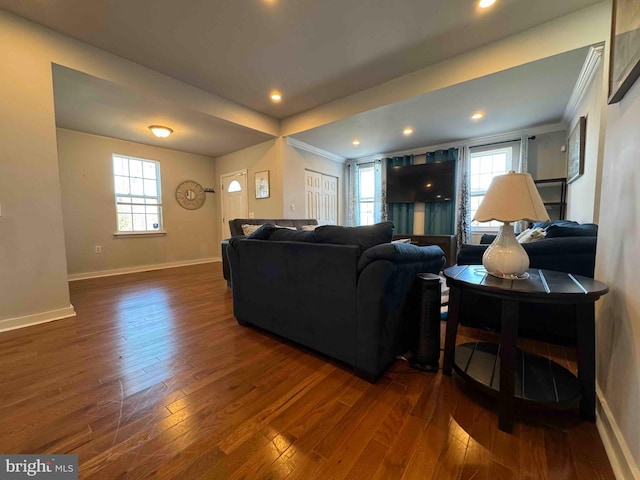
532,95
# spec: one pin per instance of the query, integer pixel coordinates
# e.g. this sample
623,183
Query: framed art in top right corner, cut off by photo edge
624,57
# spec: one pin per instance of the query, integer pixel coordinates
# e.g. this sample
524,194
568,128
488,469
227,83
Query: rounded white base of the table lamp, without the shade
505,257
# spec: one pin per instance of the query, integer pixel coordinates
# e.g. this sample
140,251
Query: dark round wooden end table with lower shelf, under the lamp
512,374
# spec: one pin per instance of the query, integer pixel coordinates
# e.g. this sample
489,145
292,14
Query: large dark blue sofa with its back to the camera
339,291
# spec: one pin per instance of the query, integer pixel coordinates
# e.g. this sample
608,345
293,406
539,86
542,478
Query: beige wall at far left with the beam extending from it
33,277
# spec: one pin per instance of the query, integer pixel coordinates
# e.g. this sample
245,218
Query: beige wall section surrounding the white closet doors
296,161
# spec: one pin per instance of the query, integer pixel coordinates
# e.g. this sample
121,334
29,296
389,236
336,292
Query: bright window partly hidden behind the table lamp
485,165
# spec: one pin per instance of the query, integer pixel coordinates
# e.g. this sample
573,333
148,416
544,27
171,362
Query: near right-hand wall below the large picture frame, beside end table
618,264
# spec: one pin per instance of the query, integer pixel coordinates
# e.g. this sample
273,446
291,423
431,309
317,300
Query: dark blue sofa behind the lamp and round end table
568,247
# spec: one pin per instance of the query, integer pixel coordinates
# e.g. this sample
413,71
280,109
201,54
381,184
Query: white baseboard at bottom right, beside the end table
622,462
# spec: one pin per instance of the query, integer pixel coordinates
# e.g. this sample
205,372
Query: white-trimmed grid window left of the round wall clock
137,194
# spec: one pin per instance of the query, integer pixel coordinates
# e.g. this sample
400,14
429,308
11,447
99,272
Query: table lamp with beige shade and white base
510,198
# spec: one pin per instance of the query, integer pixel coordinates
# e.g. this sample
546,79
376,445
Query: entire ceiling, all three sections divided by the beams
312,51
